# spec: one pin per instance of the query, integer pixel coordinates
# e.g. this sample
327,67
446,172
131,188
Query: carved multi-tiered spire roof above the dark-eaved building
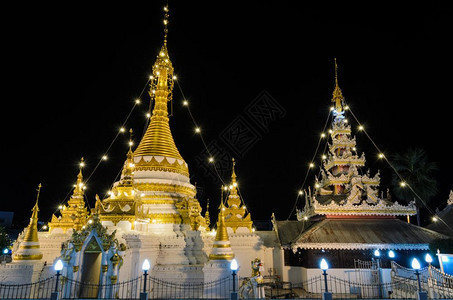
343,189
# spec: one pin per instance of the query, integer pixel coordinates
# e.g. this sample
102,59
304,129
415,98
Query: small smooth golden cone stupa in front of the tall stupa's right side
221,248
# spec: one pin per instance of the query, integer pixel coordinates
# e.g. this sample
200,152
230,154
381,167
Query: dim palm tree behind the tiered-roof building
417,172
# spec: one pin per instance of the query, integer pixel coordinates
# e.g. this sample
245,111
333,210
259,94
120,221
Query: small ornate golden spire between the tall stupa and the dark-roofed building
236,214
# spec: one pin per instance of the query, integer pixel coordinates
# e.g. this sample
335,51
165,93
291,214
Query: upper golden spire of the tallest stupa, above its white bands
158,140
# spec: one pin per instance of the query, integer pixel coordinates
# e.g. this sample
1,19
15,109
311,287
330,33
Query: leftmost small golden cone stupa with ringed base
29,248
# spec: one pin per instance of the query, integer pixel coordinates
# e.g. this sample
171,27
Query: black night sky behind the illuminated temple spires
72,72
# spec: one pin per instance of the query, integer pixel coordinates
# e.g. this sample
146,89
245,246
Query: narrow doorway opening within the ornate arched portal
91,270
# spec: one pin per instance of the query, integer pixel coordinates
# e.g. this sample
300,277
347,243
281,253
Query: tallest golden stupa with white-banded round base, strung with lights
161,182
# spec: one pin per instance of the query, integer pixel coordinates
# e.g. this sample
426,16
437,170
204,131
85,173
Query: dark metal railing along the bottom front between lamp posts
313,288
